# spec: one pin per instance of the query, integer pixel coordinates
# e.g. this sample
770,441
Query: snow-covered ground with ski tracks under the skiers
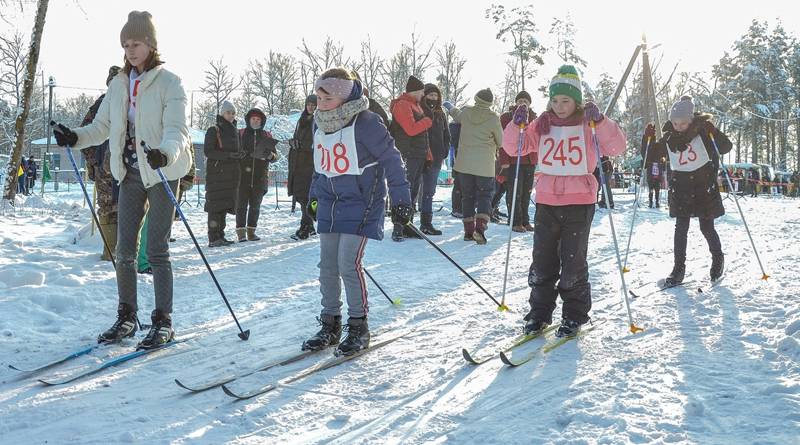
712,367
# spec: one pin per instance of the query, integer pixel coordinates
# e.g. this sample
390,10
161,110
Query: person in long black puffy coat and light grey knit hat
223,151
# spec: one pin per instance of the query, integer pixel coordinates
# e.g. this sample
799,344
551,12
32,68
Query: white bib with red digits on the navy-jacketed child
335,154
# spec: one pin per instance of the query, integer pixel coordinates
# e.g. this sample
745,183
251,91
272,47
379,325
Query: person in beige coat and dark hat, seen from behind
481,136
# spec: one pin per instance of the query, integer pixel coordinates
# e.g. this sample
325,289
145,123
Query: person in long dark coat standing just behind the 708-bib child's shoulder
301,166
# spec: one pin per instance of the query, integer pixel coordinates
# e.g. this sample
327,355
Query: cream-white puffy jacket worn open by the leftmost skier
160,122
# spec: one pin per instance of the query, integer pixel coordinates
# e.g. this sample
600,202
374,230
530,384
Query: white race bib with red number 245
562,152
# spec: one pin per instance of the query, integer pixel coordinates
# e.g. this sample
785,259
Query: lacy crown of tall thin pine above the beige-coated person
518,25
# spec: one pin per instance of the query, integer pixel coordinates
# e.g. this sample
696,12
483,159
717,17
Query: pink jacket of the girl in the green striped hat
569,190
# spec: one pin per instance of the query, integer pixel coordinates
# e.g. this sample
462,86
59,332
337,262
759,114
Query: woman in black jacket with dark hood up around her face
260,151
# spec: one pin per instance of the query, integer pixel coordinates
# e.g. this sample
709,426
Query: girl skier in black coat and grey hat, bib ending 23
693,188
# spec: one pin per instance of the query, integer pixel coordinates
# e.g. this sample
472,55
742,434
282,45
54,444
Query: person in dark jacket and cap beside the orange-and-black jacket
439,140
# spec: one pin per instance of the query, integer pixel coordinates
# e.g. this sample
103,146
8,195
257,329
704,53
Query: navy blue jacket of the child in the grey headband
355,204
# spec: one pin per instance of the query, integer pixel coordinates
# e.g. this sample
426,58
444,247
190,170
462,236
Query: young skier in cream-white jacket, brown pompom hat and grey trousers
144,103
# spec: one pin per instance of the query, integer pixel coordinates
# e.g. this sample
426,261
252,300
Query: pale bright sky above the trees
81,37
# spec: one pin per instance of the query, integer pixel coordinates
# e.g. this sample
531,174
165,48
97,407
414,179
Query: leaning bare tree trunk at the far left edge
10,186
